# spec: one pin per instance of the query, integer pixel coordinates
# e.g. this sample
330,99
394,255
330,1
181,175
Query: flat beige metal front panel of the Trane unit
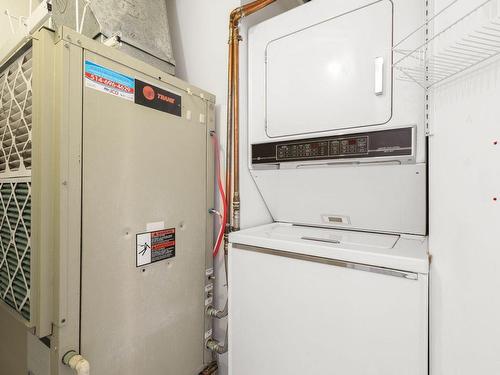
143,169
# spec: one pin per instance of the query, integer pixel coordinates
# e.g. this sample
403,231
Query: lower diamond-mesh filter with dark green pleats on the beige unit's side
15,248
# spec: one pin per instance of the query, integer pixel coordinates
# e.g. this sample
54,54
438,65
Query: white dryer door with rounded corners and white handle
334,75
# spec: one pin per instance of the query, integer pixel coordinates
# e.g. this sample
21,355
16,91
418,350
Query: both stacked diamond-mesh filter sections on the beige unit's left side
15,183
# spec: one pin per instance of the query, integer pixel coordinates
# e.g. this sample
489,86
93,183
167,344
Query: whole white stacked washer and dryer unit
337,148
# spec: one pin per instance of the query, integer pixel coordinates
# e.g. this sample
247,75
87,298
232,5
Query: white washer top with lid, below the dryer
398,252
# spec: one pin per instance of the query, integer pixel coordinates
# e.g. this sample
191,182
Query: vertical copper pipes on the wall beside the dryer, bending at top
233,156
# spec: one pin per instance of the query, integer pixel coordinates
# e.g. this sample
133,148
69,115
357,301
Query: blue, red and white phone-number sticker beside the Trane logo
102,79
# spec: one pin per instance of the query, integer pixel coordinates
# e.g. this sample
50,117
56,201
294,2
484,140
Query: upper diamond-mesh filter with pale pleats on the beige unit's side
16,115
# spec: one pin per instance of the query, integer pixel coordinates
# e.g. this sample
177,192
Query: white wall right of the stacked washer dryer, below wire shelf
465,218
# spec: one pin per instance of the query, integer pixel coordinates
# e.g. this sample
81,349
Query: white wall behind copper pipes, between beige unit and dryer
199,35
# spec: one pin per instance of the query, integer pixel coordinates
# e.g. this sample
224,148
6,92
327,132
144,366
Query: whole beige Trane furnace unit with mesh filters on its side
106,180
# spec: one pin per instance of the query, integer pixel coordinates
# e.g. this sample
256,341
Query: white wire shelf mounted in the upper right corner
460,43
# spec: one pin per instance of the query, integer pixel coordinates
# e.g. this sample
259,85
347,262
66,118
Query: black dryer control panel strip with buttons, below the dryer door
385,143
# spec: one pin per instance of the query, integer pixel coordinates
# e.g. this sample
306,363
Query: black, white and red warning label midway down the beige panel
155,246
